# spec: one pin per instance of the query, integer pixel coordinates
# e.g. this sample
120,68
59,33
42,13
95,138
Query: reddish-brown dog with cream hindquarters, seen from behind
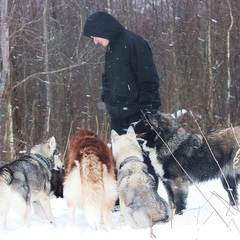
90,181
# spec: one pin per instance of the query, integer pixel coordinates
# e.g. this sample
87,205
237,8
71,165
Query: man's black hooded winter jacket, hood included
130,81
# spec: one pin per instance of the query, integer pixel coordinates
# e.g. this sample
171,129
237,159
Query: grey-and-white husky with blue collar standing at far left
27,180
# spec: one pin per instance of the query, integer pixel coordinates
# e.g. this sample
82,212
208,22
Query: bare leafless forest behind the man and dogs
51,73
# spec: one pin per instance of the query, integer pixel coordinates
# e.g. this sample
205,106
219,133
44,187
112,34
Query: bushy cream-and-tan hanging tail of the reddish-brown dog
91,172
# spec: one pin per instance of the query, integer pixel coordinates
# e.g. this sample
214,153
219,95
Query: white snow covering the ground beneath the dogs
200,221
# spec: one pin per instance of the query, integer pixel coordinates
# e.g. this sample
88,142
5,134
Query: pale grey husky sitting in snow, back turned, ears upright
140,204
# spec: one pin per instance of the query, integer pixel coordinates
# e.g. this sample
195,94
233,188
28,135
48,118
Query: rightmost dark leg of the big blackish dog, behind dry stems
231,189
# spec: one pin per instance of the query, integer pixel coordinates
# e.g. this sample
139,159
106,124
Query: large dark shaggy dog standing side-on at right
181,157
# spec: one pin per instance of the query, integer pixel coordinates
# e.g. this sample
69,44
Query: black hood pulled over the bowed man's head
104,25
